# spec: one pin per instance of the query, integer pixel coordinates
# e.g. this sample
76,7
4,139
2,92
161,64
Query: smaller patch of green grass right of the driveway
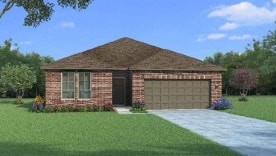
259,107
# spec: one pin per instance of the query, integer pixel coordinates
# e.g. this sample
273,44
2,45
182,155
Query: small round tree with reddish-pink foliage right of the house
244,80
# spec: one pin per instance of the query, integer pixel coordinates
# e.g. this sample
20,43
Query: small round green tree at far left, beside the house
19,78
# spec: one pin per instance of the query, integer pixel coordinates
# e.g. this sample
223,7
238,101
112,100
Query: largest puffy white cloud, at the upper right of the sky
244,13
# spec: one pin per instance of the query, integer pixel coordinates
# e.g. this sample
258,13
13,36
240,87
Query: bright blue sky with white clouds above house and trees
197,28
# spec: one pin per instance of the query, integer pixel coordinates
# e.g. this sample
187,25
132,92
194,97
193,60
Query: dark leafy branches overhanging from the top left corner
39,11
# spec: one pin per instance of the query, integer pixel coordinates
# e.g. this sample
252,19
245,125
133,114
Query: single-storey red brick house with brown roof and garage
127,70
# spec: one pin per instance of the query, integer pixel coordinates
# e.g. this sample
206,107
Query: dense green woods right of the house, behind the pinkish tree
261,57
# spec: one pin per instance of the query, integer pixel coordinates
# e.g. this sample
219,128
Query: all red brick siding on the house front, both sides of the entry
102,86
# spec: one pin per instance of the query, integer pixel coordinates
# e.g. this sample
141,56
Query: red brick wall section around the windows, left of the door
101,89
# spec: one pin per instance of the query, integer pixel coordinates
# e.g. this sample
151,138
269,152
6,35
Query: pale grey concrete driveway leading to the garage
248,136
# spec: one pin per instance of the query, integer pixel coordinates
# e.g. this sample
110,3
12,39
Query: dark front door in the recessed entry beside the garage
119,91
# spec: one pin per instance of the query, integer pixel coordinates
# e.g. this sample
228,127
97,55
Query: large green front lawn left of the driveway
100,133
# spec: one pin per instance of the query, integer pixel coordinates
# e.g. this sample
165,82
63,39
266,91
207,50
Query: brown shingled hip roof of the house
126,53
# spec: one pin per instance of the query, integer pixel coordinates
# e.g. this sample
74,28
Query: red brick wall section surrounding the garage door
138,82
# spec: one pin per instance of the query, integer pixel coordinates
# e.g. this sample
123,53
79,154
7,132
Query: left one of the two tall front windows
68,85
